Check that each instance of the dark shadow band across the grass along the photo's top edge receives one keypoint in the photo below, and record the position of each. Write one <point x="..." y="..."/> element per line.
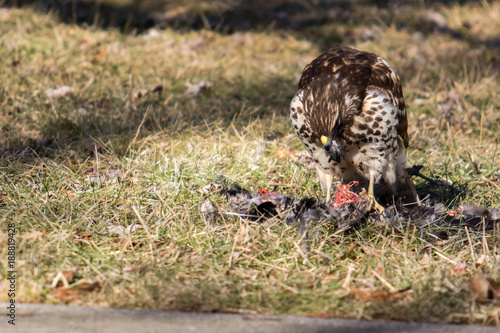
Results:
<point x="304" y="19"/>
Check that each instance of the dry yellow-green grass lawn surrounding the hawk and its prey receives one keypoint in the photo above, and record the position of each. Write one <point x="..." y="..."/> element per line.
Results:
<point x="169" y="145"/>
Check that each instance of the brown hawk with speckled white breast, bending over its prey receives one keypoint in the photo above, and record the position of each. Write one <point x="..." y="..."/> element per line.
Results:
<point x="349" y="112"/>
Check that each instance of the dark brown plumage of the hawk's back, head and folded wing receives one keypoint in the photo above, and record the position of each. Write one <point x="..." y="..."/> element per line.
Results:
<point x="344" y="76"/>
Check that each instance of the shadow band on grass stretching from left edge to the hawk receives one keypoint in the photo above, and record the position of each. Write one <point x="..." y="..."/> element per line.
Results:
<point x="82" y="125"/>
